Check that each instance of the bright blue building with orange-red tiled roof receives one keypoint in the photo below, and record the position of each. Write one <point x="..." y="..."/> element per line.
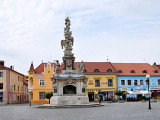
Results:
<point x="132" y="79"/>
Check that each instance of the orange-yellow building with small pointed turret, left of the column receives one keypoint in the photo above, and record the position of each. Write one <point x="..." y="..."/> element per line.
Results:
<point x="39" y="82"/>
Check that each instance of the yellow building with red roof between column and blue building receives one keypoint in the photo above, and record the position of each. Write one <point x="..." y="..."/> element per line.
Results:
<point x="102" y="80"/>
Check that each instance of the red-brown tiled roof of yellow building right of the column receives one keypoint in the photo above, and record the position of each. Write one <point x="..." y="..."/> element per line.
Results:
<point x="91" y="66"/>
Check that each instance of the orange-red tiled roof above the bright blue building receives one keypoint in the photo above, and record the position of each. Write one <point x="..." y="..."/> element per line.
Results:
<point x="137" y="67"/>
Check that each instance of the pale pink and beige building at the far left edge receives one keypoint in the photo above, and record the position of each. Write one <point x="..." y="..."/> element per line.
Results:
<point x="11" y="85"/>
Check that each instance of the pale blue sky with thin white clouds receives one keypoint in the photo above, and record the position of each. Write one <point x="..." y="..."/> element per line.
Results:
<point x="127" y="31"/>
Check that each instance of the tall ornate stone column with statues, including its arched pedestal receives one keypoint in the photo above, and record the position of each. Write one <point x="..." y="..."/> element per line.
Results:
<point x="69" y="87"/>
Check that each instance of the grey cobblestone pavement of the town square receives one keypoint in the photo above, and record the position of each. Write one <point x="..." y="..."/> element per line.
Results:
<point x="110" y="111"/>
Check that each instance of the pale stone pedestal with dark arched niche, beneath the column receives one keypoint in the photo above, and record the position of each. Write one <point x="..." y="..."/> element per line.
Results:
<point x="70" y="90"/>
